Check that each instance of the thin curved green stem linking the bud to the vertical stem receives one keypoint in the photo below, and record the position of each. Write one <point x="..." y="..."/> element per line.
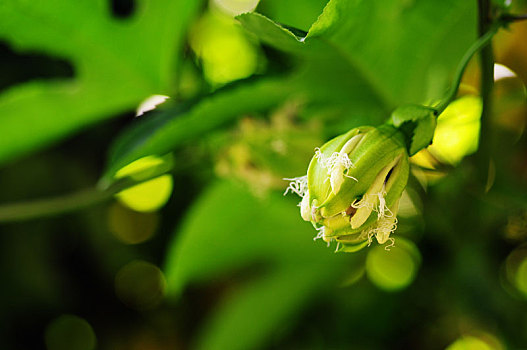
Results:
<point x="481" y="43"/>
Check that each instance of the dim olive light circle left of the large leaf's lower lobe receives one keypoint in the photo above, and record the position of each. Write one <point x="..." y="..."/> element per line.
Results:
<point x="140" y="285"/>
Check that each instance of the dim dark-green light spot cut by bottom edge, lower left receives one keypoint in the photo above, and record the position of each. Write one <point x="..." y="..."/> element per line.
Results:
<point x="69" y="332"/>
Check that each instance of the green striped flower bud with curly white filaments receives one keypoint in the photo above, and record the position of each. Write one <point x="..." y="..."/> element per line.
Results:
<point x="353" y="185"/>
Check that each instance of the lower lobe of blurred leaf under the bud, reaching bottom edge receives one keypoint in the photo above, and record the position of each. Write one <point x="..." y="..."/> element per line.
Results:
<point x="269" y="302"/>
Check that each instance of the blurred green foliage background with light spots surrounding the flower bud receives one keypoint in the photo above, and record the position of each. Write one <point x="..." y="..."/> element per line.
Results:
<point x="211" y="255"/>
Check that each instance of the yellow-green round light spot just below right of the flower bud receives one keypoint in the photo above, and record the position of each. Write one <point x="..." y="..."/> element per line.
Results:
<point x="394" y="269"/>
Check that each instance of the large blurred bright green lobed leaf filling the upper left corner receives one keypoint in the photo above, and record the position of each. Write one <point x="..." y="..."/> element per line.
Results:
<point x="118" y="63"/>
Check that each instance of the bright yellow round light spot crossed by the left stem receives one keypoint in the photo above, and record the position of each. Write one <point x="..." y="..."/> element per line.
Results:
<point x="150" y="195"/>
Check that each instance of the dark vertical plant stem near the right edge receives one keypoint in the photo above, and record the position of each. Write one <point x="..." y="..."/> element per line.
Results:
<point x="487" y="83"/>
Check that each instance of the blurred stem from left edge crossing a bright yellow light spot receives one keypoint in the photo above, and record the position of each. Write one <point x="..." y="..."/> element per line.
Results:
<point x="74" y="201"/>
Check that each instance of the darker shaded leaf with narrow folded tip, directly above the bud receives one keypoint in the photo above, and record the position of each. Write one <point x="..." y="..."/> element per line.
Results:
<point x="328" y="82"/>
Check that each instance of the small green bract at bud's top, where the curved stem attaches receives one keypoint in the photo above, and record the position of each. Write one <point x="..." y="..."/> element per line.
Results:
<point x="417" y="123"/>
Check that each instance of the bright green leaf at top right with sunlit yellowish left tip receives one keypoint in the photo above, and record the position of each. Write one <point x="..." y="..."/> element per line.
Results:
<point x="421" y="41"/>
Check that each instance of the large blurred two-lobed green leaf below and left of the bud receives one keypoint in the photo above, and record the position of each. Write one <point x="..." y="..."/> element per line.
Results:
<point x="229" y="229"/>
